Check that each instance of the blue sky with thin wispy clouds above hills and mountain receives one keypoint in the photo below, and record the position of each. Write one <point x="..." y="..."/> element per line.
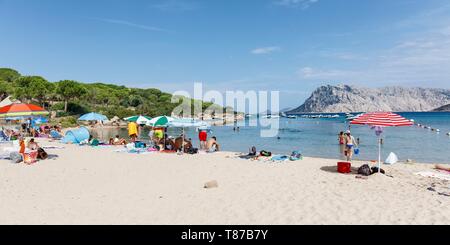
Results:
<point x="288" y="45"/>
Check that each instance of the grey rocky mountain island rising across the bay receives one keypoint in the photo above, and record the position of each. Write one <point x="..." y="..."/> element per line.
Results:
<point x="345" y="98"/>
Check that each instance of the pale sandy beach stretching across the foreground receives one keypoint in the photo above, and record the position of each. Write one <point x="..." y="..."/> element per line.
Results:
<point x="85" y="185"/>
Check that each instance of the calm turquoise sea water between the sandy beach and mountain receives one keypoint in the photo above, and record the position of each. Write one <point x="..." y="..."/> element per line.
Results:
<point x="318" y="138"/>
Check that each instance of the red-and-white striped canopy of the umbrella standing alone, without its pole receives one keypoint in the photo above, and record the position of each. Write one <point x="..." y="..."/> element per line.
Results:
<point x="383" y="119"/>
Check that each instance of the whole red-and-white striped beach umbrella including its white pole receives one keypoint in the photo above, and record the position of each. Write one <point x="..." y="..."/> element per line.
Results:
<point x="378" y="120"/>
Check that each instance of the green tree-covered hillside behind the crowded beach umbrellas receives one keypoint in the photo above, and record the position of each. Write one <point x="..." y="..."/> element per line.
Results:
<point x="70" y="97"/>
